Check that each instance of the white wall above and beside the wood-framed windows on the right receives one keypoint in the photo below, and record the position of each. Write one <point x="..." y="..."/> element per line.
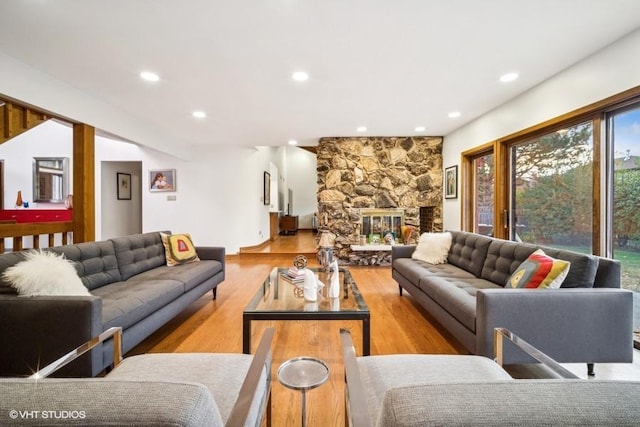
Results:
<point x="606" y="73"/>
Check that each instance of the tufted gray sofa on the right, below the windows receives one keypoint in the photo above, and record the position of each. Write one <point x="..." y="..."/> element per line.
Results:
<point x="588" y="319"/>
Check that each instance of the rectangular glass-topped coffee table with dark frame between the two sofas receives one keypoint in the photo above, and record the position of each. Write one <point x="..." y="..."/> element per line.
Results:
<point x="273" y="284"/>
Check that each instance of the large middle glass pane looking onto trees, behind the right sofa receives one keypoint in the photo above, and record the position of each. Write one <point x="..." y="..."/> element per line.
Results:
<point x="551" y="189"/>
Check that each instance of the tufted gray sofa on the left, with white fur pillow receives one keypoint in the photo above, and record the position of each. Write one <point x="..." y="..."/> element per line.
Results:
<point x="131" y="287"/>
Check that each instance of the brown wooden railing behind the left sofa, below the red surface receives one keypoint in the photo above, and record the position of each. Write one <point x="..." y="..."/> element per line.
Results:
<point x="18" y="231"/>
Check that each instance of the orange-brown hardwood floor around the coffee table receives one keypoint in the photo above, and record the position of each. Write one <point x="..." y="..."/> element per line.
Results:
<point x="398" y="325"/>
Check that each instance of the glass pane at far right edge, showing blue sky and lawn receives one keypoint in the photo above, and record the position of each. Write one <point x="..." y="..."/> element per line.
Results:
<point x="624" y="143"/>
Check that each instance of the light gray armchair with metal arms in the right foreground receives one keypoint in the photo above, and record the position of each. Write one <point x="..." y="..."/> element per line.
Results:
<point x="451" y="390"/>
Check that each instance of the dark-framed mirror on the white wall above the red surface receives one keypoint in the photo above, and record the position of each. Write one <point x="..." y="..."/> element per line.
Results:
<point x="50" y="179"/>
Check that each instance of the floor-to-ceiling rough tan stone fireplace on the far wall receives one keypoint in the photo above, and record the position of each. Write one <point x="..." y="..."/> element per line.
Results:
<point x="389" y="180"/>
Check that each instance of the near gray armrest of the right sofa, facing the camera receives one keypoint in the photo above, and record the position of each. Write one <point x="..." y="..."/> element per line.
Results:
<point x="578" y="325"/>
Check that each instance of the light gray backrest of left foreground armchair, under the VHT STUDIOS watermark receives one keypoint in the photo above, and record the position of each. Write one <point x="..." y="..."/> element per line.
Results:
<point x="100" y="402"/>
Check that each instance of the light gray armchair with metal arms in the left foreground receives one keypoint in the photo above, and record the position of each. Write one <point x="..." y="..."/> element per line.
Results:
<point x="173" y="389"/>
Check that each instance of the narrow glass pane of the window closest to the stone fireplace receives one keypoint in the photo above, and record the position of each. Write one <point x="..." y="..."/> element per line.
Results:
<point x="483" y="194"/>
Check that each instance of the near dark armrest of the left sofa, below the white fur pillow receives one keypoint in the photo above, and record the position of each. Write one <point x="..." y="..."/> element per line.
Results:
<point x="35" y="331"/>
